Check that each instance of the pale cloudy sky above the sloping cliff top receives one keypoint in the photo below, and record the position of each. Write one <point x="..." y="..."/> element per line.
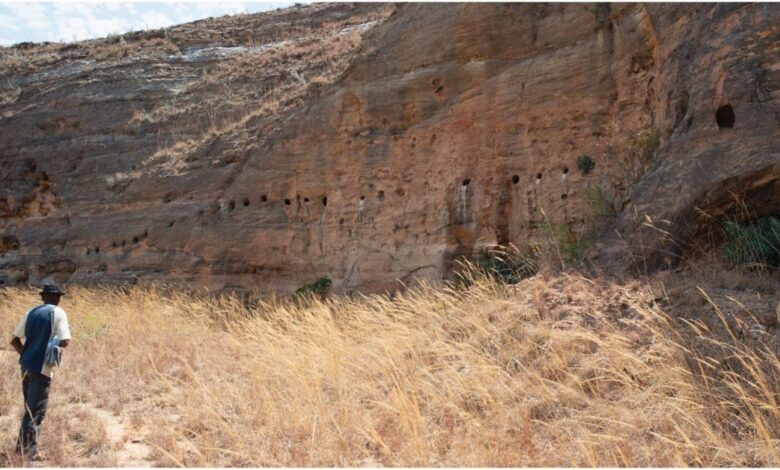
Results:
<point x="74" y="21"/>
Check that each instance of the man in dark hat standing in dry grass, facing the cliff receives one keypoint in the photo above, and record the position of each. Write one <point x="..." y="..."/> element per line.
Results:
<point x="37" y="327"/>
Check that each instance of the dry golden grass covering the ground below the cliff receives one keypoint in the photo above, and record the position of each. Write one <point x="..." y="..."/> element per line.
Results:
<point x="555" y="371"/>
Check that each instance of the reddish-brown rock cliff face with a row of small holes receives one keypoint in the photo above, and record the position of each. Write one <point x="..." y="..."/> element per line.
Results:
<point x="370" y="143"/>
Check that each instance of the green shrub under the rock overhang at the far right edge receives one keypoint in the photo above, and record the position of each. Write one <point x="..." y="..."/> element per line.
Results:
<point x="752" y="245"/>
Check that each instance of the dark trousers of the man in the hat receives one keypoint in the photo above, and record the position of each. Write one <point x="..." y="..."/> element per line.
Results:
<point x="35" y="388"/>
